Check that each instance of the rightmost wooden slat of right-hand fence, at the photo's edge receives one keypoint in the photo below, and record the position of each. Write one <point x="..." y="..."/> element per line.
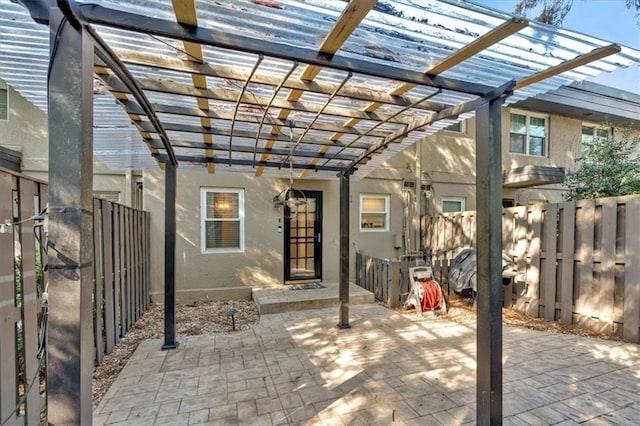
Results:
<point x="631" y="315"/>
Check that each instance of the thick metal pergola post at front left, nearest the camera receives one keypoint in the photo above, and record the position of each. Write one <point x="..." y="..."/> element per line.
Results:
<point x="70" y="253"/>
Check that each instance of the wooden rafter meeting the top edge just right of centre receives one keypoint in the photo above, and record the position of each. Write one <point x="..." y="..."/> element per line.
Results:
<point x="351" y="16"/>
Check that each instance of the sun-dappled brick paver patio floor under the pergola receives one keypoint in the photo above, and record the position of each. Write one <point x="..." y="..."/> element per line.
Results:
<point x="298" y="368"/>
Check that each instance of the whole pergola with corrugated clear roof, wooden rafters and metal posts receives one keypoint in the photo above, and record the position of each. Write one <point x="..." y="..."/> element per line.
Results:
<point x="327" y="89"/>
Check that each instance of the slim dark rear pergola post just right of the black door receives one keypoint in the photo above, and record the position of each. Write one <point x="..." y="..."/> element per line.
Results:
<point x="343" y="321"/>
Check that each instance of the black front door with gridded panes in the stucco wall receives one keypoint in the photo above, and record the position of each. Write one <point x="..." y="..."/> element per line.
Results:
<point x="303" y="238"/>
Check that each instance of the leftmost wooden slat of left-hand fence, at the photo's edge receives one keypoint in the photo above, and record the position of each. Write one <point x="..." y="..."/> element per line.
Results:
<point x="8" y="312"/>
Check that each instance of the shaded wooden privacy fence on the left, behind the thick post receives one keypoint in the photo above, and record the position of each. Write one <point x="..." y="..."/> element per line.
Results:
<point x="121" y="271"/>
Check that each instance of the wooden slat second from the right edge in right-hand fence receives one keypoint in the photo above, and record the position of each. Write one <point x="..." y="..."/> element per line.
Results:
<point x="608" y="262"/>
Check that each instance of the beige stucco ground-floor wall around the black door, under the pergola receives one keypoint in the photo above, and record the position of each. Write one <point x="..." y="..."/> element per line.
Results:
<point x="201" y="275"/>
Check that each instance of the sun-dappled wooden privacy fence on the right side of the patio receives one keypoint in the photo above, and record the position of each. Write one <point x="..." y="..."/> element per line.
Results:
<point x="581" y="260"/>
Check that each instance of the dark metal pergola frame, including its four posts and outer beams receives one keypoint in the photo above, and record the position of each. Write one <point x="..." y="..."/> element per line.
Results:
<point x="73" y="51"/>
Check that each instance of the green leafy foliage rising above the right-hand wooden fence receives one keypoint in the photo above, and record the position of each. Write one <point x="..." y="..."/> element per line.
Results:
<point x="609" y="167"/>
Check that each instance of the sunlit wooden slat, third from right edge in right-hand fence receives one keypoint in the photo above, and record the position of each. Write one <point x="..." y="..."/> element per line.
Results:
<point x="585" y="231"/>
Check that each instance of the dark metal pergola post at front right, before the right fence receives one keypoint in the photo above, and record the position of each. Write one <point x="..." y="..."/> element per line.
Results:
<point x="489" y="272"/>
